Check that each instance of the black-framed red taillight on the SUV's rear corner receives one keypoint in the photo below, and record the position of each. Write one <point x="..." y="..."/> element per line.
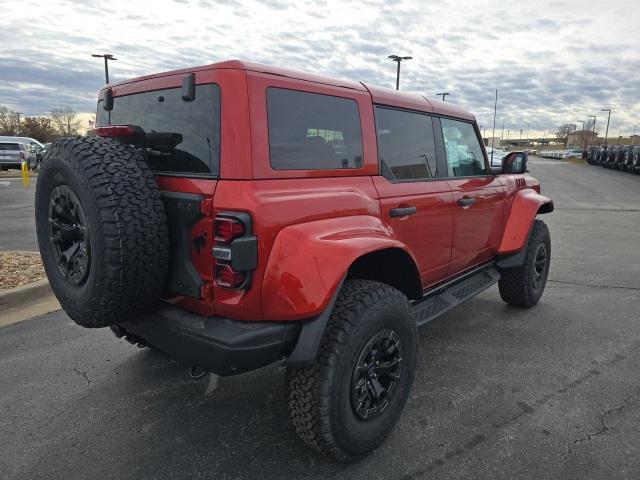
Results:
<point x="235" y="250"/>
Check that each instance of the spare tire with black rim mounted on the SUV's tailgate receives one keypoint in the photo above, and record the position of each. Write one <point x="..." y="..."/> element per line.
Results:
<point x="102" y="230"/>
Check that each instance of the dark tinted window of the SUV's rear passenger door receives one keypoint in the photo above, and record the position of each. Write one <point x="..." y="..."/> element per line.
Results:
<point x="405" y="144"/>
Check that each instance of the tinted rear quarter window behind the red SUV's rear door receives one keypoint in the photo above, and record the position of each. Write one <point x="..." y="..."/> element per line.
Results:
<point x="310" y="131"/>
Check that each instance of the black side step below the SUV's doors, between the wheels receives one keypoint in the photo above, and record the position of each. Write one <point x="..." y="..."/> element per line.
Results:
<point x="451" y="294"/>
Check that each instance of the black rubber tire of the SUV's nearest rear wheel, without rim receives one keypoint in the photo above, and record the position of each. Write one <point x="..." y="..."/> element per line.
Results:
<point x="319" y="396"/>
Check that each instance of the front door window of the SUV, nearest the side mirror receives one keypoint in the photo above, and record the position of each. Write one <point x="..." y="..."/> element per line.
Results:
<point x="464" y="154"/>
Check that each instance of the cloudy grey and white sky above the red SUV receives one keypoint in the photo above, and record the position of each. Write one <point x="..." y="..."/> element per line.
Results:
<point x="553" y="62"/>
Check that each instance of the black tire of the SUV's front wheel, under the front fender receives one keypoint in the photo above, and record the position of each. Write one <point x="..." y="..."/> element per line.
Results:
<point x="517" y="285"/>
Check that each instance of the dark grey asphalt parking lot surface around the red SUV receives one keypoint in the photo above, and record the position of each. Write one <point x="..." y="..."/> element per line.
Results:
<point x="551" y="392"/>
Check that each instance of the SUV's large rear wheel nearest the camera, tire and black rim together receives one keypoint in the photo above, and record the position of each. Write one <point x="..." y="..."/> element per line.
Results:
<point x="348" y="401"/>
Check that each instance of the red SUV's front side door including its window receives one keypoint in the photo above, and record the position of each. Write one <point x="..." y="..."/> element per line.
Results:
<point x="478" y="196"/>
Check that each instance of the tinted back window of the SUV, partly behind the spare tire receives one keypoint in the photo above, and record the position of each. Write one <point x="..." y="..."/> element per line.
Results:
<point x="182" y="137"/>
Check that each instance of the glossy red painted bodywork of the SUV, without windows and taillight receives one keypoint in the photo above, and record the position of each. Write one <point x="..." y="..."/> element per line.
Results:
<point x="311" y="225"/>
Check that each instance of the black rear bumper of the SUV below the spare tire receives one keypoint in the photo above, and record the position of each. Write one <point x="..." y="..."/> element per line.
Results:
<point x="219" y="345"/>
